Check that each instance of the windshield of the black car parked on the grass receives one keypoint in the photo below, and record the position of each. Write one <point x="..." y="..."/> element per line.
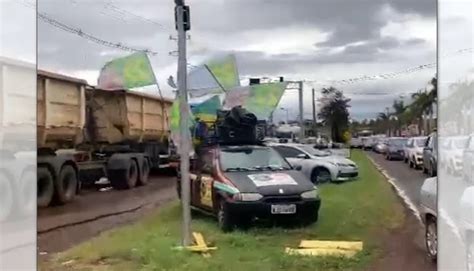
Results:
<point x="250" y="158"/>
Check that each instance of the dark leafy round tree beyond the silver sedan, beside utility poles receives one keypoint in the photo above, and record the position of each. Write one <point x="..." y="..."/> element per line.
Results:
<point x="334" y="112"/>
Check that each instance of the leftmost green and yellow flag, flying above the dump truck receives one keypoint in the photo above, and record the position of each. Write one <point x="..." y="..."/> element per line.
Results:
<point x="127" y="72"/>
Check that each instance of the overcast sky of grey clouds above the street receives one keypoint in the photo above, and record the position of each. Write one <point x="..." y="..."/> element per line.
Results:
<point x="230" y="22"/>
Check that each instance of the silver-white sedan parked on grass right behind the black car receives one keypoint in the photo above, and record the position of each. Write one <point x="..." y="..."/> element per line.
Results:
<point x="319" y="166"/>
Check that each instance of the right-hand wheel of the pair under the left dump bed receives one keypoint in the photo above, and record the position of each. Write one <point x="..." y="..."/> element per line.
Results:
<point x="66" y="185"/>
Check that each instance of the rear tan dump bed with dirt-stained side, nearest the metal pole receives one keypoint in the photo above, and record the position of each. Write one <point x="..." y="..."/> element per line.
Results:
<point x="127" y="116"/>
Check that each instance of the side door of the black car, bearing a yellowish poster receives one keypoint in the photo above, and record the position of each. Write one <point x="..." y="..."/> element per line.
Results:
<point x="202" y="181"/>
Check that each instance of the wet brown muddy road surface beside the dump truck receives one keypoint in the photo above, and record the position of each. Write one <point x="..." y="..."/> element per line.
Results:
<point x="93" y="211"/>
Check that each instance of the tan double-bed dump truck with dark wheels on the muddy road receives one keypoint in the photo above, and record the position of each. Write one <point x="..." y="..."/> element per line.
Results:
<point x="85" y="134"/>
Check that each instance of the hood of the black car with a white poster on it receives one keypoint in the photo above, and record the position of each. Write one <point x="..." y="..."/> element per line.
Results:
<point x="270" y="183"/>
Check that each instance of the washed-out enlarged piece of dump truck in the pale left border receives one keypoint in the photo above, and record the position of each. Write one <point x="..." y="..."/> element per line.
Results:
<point x="17" y="140"/>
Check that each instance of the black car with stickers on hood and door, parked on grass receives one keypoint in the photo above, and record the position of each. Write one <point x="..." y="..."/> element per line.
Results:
<point x="241" y="183"/>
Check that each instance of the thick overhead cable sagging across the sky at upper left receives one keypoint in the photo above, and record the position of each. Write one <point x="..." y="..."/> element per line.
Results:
<point x="80" y="33"/>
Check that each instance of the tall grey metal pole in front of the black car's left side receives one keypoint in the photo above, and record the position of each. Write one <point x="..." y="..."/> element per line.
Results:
<point x="183" y="125"/>
